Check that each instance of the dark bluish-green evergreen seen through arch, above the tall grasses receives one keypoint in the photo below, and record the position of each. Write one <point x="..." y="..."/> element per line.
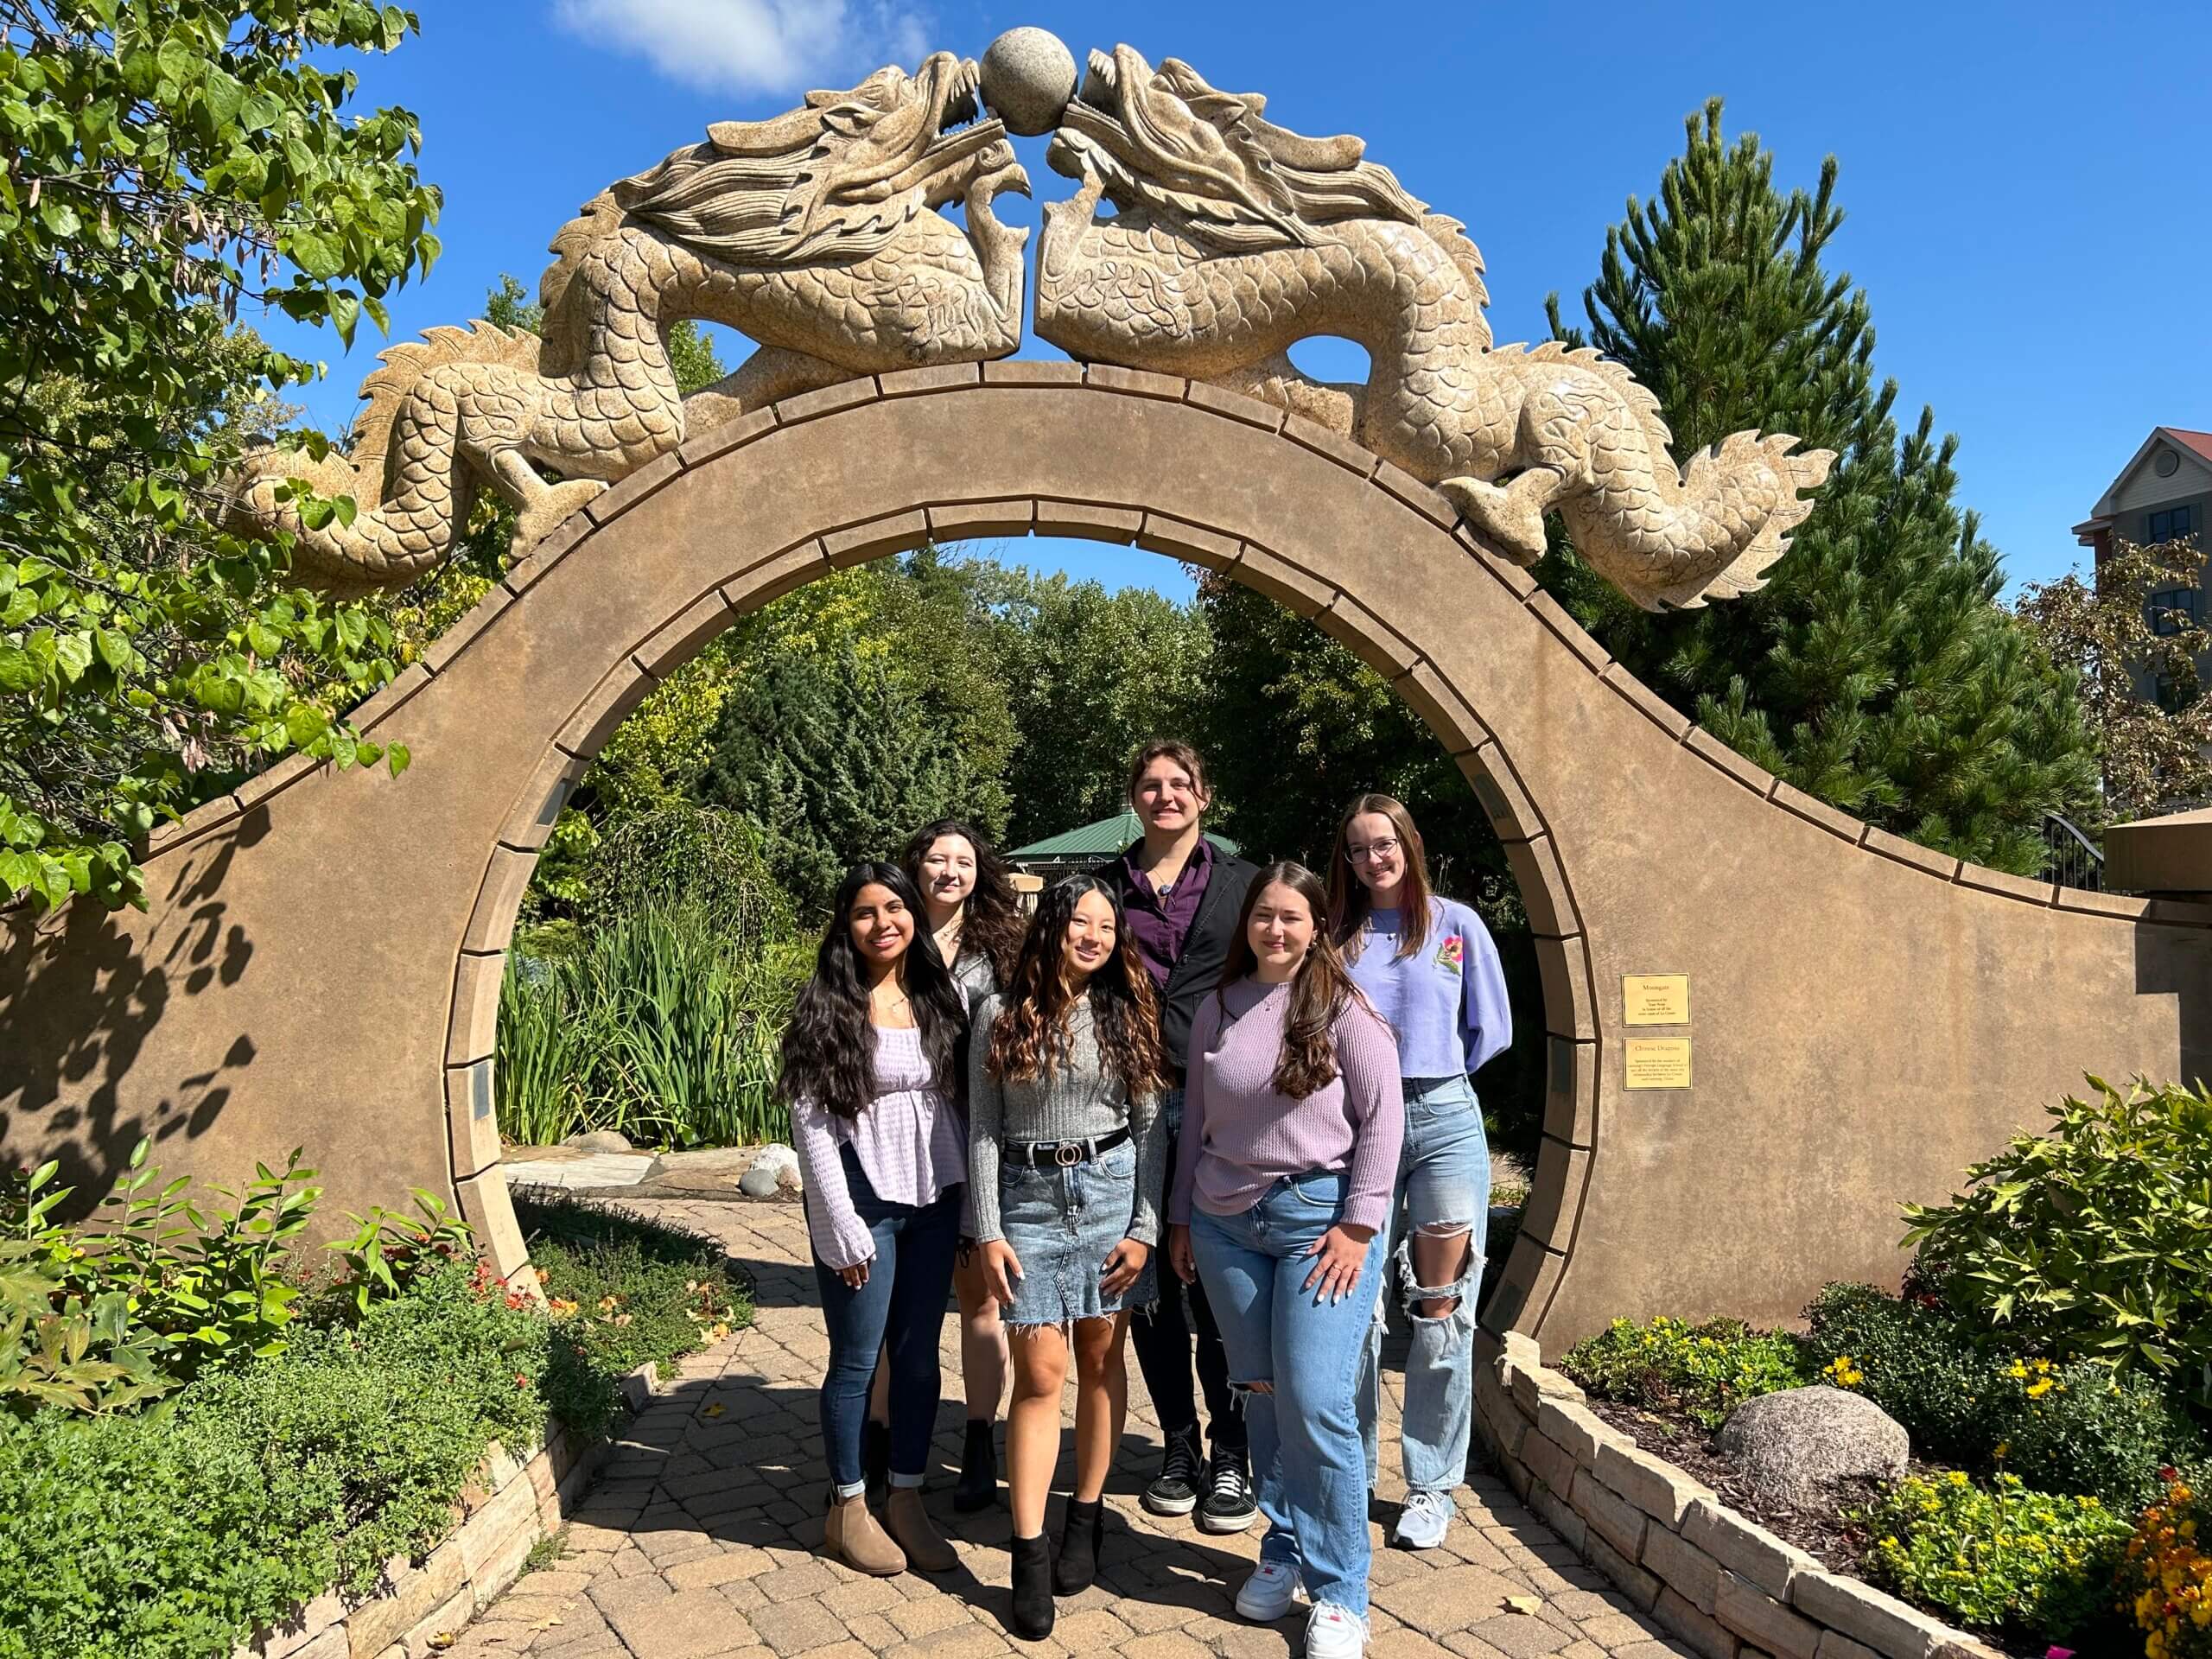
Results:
<point x="835" y="762"/>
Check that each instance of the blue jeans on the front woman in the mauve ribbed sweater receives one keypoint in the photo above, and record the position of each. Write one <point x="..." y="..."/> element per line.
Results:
<point x="1306" y="1432"/>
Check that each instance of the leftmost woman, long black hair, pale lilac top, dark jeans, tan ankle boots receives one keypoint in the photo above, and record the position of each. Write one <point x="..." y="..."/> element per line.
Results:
<point x="873" y="1074"/>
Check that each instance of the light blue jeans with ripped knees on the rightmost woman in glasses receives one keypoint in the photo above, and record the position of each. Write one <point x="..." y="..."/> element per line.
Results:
<point x="1443" y="1187"/>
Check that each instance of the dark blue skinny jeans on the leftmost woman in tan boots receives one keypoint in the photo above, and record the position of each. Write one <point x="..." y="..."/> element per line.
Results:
<point x="901" y="1308"/>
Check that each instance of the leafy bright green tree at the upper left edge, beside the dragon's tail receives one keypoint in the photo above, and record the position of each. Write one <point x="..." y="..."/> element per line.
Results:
<point x="169" y="163"/>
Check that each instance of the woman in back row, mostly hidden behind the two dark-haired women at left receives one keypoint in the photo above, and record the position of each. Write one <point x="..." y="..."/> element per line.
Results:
<point x="977" y="924"/>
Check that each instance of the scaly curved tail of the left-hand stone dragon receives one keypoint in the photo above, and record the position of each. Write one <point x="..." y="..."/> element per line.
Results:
<point x="401" y="468"/>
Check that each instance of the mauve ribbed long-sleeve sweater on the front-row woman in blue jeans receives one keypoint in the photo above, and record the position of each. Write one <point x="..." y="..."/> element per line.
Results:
<point x="1240" y="1136"/>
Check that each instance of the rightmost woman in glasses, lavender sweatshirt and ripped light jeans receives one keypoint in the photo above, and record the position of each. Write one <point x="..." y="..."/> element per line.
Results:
<point x="1430" y="970"/>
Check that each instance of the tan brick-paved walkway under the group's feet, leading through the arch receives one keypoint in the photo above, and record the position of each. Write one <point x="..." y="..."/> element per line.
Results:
<point x="700" y="1541"/>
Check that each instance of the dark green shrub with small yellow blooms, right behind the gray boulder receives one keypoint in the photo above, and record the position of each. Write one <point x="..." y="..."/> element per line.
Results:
<point x="2060" y="1428"/>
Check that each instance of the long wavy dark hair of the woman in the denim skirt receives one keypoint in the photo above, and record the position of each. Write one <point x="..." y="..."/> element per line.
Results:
<point x="1032" y="1032"/>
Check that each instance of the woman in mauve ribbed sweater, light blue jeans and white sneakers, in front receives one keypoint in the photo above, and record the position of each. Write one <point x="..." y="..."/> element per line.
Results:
<point x="1291" y="1149"/>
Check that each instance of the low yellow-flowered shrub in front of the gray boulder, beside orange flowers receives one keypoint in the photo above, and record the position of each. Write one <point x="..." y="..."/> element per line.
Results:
<point x="2001" y="1556"/>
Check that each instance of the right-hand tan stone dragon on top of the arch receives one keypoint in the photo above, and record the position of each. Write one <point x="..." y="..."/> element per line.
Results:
<point x="1233" y="238"/>
